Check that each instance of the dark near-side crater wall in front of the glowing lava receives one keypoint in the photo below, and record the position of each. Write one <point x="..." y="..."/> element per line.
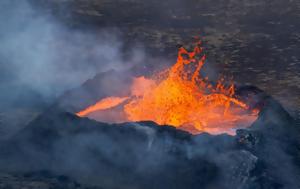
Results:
<point x="145" y="155"/>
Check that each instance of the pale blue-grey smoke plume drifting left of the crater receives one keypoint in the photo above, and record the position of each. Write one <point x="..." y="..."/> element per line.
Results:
<point x="40" y="58"/>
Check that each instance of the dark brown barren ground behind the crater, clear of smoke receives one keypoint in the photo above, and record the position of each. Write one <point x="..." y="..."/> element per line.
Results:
<point x="257" y="42"/>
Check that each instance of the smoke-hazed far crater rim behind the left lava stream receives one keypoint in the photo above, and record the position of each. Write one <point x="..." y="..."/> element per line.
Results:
<point x="104" y="84"/>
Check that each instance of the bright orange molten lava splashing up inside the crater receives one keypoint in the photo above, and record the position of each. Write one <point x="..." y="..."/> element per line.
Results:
<point x="181" y="97"/>
